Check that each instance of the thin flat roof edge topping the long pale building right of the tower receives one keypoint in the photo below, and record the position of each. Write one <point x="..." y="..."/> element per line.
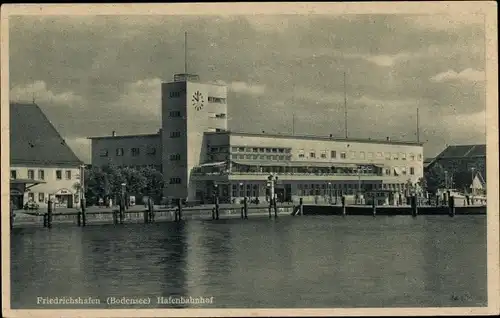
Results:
<point x="408" y="143"/>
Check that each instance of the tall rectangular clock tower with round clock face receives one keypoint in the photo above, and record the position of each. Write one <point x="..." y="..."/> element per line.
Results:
<point x="189" y="109"/>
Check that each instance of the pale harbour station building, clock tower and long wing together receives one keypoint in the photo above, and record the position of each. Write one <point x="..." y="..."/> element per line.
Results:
<point x="197" y="152"/>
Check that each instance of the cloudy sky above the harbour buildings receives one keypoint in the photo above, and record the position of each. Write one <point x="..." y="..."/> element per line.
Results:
<point x="95" y="74"/>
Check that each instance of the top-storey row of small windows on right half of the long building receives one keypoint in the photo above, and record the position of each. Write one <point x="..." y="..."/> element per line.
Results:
<point x="362" y="155"/>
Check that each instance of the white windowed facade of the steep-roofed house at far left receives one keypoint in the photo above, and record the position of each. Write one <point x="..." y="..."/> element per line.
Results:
<point x="52" y="186"/>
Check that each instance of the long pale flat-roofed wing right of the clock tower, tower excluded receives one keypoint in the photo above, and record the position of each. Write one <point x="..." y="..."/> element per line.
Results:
<point x="306" y="166"/>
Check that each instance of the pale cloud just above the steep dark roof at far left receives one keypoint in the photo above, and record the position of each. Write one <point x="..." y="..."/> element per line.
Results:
<point x="38" y="91"/>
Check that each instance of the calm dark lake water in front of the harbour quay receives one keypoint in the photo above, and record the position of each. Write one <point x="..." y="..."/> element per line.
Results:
<point x="312" y="262"/>
